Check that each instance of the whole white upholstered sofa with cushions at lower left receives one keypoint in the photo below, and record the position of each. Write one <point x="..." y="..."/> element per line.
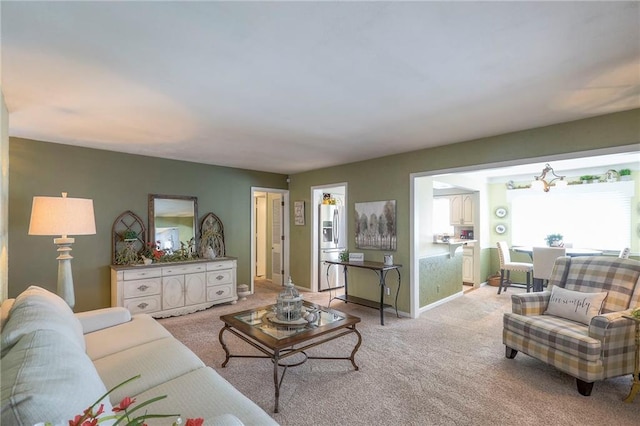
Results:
<point x="55" y="364"/>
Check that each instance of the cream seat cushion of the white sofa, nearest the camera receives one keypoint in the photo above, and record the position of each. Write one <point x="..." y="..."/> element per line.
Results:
<point x="204" y="393"/>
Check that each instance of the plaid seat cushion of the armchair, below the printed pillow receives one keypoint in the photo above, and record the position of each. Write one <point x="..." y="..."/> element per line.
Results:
<point x="556" y="334"/>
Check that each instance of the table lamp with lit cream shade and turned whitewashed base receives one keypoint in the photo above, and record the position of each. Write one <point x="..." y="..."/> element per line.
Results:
<point x="63" y="216"/>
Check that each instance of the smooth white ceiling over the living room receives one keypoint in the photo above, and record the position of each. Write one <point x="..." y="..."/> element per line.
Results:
<point x="293" y="86"/>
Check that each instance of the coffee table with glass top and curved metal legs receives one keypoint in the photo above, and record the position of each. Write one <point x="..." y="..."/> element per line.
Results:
<point x="279" y="341"/>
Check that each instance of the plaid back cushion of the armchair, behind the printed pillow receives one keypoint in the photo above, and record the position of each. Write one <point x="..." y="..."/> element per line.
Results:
<point x="618" y="277"/>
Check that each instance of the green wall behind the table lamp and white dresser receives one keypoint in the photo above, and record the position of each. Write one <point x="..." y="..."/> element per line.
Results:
<point x="116" y="182"/>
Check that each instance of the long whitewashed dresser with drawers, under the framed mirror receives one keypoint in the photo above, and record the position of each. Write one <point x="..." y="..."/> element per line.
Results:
<point x="169" y="289"/>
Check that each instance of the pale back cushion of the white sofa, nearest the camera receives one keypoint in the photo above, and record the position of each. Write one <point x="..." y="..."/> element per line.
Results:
<point x="46" y="377"/>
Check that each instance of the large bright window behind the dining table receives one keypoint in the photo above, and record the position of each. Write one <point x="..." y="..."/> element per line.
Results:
<point x="588" y="216"/>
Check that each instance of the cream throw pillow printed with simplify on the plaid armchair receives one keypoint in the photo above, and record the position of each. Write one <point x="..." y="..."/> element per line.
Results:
<point x="575" y="305"/>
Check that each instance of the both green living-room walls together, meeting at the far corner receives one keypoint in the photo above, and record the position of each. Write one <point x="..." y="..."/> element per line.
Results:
<point x="118" y="182"/>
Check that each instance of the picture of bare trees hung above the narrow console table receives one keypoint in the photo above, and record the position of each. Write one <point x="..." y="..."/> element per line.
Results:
<point x="375" y="225"/>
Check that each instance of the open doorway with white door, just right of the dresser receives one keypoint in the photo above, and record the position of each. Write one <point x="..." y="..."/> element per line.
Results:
<point x="270" y="235"/>
